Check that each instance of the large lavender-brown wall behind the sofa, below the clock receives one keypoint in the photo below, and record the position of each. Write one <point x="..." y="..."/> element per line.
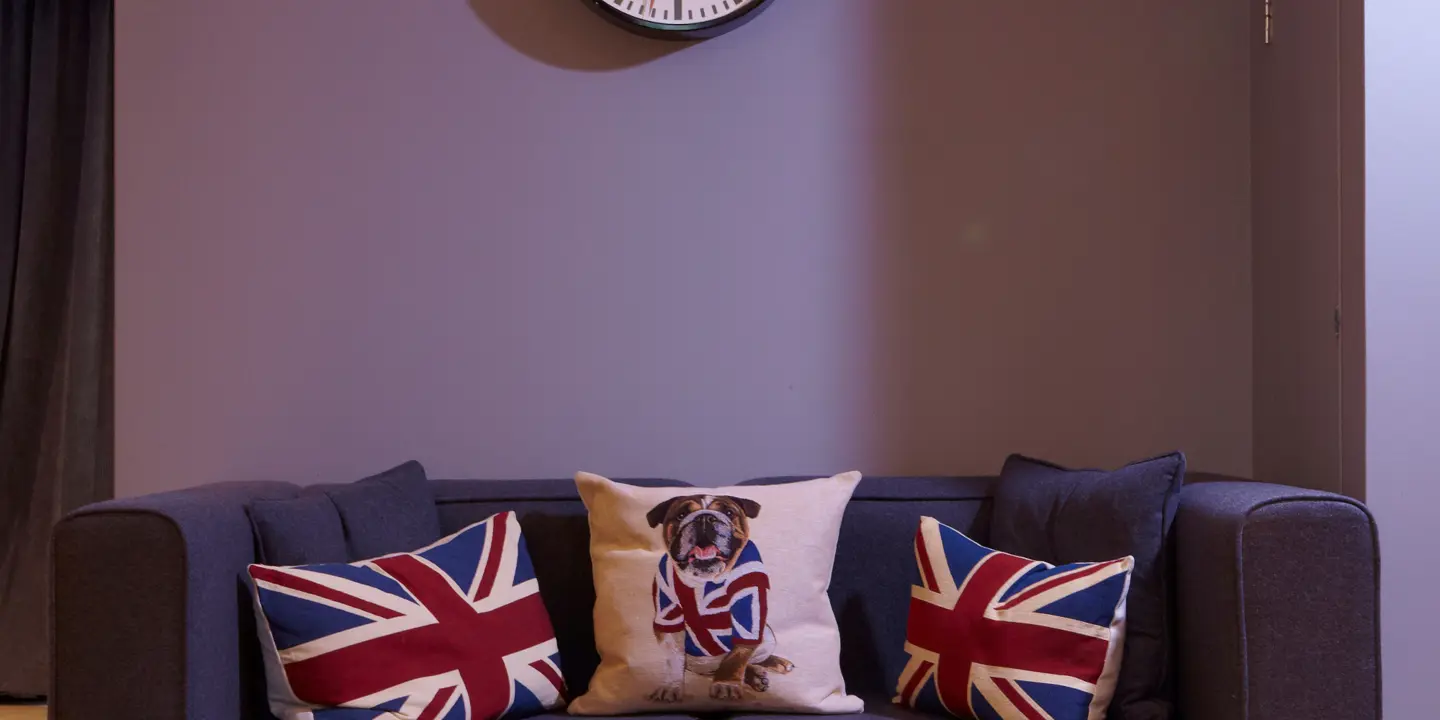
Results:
<point x="509" y="240"/>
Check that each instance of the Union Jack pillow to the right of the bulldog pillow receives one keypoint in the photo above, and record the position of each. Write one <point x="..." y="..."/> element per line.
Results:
<point x="993" y="636"/>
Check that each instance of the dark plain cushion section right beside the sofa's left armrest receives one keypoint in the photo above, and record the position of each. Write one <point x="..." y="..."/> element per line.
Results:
<point x="300" y="531"/>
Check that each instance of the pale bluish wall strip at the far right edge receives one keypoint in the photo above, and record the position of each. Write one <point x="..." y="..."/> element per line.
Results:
<point x="1403" y="296"/>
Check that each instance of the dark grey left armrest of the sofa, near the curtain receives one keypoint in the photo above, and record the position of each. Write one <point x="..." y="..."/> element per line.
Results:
<point x="150" y="620"/>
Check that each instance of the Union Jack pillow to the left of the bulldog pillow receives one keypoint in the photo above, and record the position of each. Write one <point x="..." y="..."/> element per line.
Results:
<point x="454" y="631"/>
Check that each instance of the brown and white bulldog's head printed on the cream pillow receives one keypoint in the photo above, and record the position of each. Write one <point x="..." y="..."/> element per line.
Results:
<point x="705" y="534"/>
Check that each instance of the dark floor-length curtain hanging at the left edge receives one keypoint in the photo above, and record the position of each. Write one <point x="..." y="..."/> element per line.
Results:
<point x="57" y="238"/>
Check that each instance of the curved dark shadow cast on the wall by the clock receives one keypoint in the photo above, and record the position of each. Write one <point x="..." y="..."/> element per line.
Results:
<point x="568" y="35"/>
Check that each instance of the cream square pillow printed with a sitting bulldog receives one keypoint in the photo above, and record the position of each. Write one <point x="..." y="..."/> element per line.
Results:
<point x="715" y="600"/>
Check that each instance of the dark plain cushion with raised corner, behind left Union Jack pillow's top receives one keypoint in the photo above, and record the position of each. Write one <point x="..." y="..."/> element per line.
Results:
<point x="388" y="513"/>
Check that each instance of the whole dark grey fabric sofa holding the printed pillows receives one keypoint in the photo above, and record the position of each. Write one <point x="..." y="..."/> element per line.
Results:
<point x="1275" y="595"/>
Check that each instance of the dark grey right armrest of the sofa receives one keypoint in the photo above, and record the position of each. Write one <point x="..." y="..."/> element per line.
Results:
<point x="1278" y="603"/>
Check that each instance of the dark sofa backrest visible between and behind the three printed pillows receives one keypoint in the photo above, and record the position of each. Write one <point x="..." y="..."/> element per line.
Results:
<point x="870" y="591"/>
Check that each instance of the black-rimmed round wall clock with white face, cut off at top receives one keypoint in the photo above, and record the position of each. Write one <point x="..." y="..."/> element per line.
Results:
<point x="680" y="19"/>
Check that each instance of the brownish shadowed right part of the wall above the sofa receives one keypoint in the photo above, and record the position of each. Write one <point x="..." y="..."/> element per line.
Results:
<point x="1061" y="235"/>
